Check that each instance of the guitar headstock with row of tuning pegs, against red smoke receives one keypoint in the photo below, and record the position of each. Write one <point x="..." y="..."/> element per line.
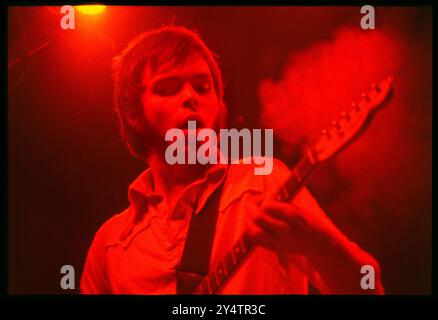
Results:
<point x="352" y="122"/>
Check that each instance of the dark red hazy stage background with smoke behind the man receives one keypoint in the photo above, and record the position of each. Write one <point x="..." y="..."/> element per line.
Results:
<point x="68" y="170"/>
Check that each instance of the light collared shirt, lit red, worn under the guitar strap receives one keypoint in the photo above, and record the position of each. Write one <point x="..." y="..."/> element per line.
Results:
<point x="138" y="250"/>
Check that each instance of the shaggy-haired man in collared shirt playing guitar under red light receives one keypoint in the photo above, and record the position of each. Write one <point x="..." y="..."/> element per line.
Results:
<point x="163" y="79"/>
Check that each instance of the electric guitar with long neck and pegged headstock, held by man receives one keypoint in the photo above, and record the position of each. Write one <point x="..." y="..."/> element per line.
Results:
<point x="351" y="125"/>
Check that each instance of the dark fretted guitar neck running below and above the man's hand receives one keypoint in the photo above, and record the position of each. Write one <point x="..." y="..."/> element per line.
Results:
<point x="241" y="249"/>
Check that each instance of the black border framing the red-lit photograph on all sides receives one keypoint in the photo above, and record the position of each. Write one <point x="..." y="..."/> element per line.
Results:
<point x="163" y="304"/>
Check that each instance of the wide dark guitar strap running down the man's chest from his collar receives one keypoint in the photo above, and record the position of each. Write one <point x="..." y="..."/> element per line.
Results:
<point x="196" y="256"/>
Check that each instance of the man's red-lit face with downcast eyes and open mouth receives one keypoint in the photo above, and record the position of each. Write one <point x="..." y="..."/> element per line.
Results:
<point x="174" y="97"/>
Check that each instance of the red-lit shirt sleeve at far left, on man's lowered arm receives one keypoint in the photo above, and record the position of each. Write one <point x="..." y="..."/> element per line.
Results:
<point x="94" y="279"/>
